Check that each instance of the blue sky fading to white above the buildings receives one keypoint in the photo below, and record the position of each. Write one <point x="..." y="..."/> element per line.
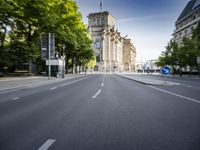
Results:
<point x="149" y="23"/>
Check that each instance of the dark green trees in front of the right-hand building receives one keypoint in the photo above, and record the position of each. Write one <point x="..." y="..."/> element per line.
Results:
<point x="183" y="55"/>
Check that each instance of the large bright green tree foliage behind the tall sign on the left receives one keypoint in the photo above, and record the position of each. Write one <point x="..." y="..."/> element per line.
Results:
<point x="23" y="22"/>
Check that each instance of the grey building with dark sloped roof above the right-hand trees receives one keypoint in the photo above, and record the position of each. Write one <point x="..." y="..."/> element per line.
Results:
<point x="187" y="21"/>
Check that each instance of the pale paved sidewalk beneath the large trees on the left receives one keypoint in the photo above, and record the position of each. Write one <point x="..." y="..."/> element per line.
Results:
<point x="21" y="82"/>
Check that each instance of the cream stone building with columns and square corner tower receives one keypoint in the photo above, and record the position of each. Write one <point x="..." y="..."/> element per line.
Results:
<point x="108" y="44"/>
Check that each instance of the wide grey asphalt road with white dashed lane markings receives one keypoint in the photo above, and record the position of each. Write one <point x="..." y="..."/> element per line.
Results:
<point x="99" y="112"/>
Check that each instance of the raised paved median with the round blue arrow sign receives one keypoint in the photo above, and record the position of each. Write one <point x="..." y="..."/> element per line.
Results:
<point x="147" y="81"/>
